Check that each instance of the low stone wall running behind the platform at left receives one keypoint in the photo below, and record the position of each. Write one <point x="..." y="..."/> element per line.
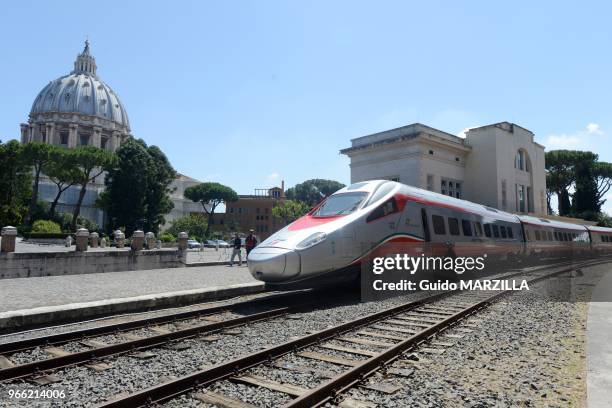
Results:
<point x="25" y="265"/>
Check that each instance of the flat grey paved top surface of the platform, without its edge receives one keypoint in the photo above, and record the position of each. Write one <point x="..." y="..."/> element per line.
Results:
<point x="27" y="293"/>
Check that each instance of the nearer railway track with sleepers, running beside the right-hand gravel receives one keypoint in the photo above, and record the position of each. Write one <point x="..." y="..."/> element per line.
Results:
<point x="356" y="349"/>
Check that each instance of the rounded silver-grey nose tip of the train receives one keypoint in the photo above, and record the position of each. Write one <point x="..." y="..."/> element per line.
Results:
<point x="271" y="264"/>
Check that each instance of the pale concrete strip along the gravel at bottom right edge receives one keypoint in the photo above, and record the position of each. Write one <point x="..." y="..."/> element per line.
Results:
<point x="599" y="346"/>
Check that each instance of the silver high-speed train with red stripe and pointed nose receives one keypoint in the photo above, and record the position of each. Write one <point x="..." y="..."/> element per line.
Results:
<point x="383" y="217"/>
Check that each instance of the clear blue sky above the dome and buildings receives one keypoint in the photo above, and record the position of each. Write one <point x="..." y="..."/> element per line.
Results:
<point x="248" y="93"/>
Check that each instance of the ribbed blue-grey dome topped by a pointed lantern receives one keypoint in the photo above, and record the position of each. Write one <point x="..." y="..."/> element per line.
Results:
<point x="83" y="92"/>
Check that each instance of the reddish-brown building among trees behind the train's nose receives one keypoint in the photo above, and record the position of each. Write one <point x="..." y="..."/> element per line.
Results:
<point x="252" y="212"/>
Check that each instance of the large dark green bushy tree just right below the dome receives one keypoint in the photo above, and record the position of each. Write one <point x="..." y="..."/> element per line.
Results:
<point x="137" y="188"/>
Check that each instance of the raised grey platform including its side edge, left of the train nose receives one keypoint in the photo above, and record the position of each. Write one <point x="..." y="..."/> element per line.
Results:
<point x="43" y="301"/>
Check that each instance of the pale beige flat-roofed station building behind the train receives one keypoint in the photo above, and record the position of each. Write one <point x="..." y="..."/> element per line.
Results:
<point x="499" y="165"/>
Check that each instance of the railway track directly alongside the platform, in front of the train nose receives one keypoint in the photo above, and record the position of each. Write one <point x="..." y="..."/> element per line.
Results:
<point x="141" y="335"/>
